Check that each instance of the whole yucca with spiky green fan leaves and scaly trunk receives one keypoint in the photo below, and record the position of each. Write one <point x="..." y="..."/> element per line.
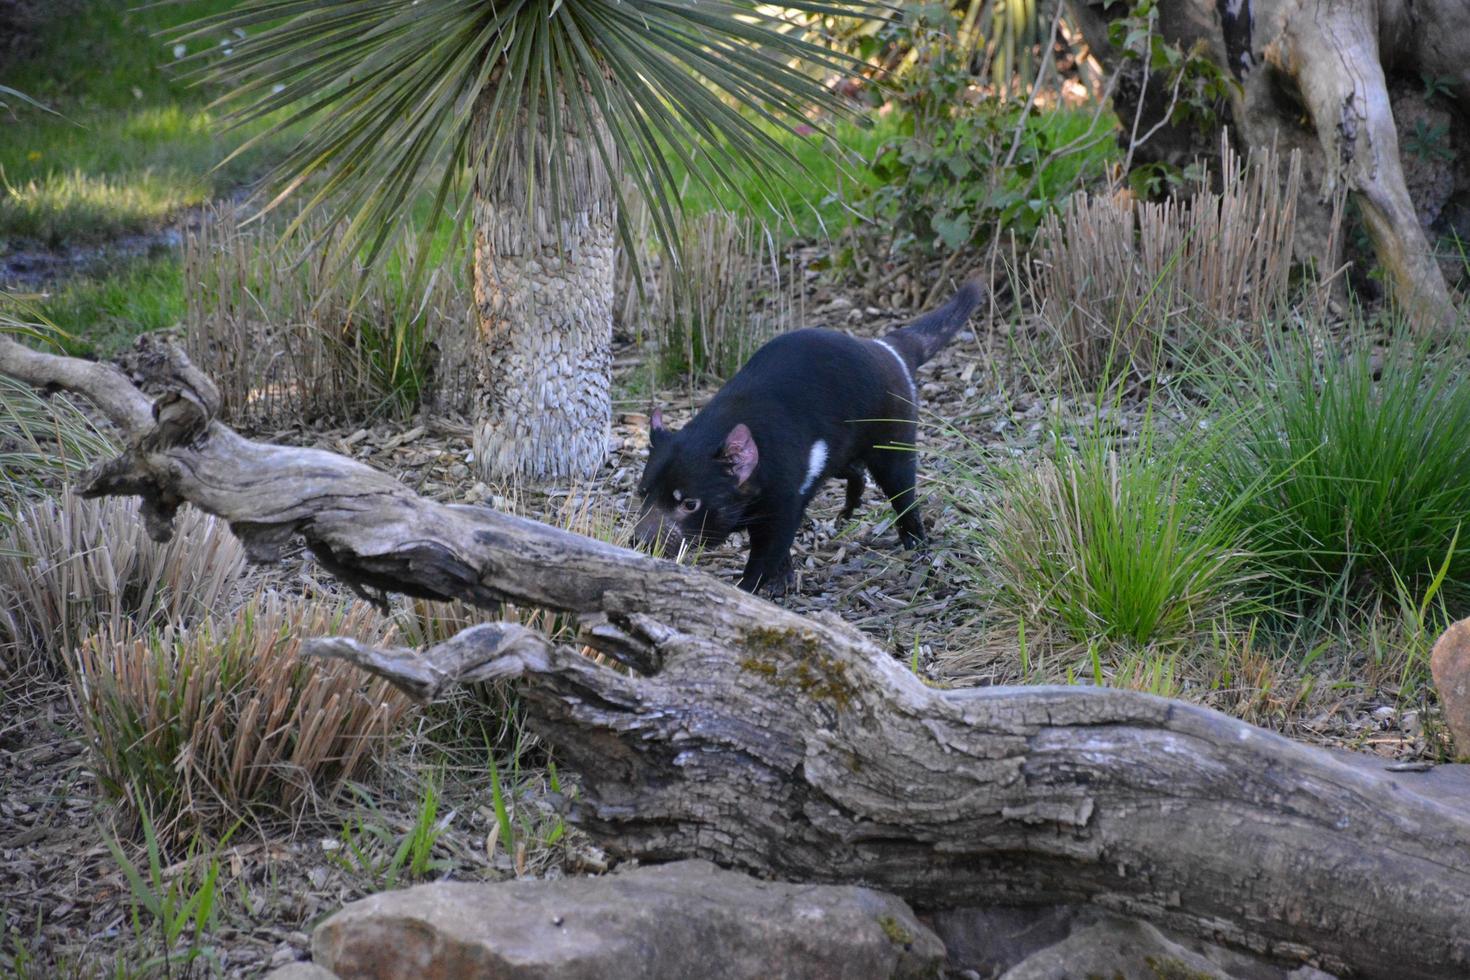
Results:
<point x="521" y="115"/>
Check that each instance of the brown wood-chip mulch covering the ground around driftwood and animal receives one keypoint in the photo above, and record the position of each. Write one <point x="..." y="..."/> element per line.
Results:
<point x="68" y="907"/>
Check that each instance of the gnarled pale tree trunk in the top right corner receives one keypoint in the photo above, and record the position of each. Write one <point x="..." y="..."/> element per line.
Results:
<point x="1343" y="83"/>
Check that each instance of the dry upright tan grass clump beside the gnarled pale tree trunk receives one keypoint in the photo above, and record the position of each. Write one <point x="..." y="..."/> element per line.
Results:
<point x="1128" y="286"/>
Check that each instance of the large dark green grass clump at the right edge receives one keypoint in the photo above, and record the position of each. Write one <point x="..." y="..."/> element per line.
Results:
<point x="1355" y="471"/>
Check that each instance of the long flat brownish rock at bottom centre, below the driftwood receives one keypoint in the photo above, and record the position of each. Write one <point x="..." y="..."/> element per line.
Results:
<point x="675" y="920"/>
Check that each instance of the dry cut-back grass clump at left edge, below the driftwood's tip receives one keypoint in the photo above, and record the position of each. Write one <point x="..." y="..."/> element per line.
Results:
<point x="73" y="566"/>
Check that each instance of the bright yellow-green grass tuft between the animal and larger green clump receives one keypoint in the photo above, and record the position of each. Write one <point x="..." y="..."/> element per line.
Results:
<point x="1116" y="546"/>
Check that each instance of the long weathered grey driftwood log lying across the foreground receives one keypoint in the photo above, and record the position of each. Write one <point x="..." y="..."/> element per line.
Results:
<point x="796" y="747"/>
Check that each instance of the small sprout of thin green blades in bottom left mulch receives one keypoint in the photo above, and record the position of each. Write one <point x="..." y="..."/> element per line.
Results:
<point x="170" y="910"/>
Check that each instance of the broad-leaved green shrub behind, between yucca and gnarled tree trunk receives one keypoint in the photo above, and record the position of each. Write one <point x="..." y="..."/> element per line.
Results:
<point x="959" y="168"/>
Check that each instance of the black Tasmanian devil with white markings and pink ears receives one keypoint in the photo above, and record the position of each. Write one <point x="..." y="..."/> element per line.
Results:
<point x="808" y="406"/>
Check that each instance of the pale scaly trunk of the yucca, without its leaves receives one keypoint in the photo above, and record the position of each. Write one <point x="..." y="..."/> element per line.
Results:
<point x="543" y="311"/>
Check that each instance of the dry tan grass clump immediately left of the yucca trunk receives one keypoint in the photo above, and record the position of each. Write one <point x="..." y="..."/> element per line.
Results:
<point x="287" y="343"/>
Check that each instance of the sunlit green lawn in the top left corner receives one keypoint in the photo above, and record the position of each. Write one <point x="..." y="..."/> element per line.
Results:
<point x="130" y="143"/>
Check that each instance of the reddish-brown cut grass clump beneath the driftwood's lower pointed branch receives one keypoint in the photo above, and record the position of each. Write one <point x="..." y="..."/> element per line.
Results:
<point x="204" y="727"/>
